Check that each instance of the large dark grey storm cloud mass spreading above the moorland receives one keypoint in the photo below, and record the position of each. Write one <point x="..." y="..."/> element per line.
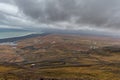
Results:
<point x="97" y="13"/>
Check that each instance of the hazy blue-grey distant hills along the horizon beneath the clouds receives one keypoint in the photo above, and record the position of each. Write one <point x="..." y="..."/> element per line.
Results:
<point x="81" y="32"/>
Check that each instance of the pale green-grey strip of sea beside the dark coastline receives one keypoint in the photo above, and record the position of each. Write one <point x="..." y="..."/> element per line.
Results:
<point x="14" y="34"/>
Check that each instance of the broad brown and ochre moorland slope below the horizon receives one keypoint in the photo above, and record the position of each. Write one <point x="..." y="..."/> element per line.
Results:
<point x="62" y="57"/>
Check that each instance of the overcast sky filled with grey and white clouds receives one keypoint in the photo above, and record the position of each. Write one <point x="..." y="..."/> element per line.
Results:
<point x="97" y="15"/>
